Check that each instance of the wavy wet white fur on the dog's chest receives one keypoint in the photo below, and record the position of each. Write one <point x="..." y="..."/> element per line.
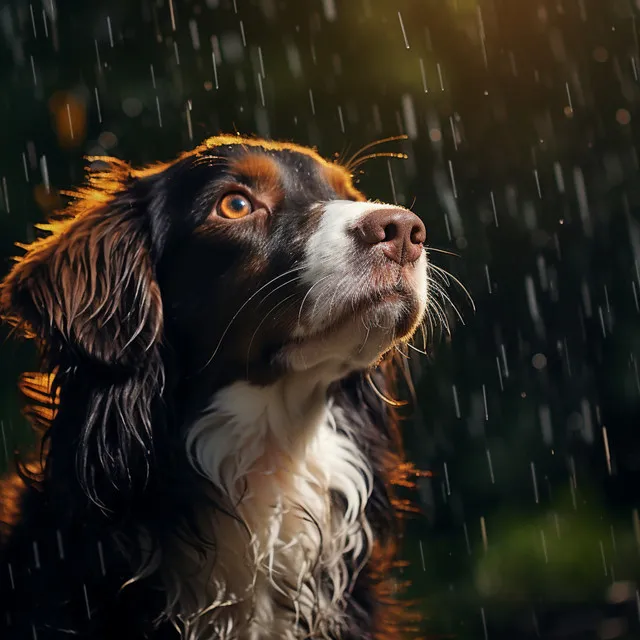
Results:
<point x="281" y="567"/>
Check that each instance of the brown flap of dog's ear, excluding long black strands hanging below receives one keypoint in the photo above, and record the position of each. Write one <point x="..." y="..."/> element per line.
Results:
<point x="88" y="289"/>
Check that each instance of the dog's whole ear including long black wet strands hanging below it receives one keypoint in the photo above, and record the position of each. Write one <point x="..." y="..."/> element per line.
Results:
<point x="88" y="293"/>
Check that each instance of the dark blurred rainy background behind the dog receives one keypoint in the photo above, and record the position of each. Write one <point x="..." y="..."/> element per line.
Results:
<point x="522" y="159"/>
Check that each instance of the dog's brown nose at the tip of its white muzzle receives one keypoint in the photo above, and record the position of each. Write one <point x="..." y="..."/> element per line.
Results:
<point x="399" y="233"/>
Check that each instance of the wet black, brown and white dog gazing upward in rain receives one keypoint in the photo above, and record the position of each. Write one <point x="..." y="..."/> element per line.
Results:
<point x="219" y="447"/>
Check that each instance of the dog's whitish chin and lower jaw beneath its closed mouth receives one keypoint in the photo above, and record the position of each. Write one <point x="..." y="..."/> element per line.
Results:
<point x="356" y="340"/>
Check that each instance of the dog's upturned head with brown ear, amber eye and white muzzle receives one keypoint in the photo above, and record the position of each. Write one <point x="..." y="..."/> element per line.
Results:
<point x="249" y="259"/>
